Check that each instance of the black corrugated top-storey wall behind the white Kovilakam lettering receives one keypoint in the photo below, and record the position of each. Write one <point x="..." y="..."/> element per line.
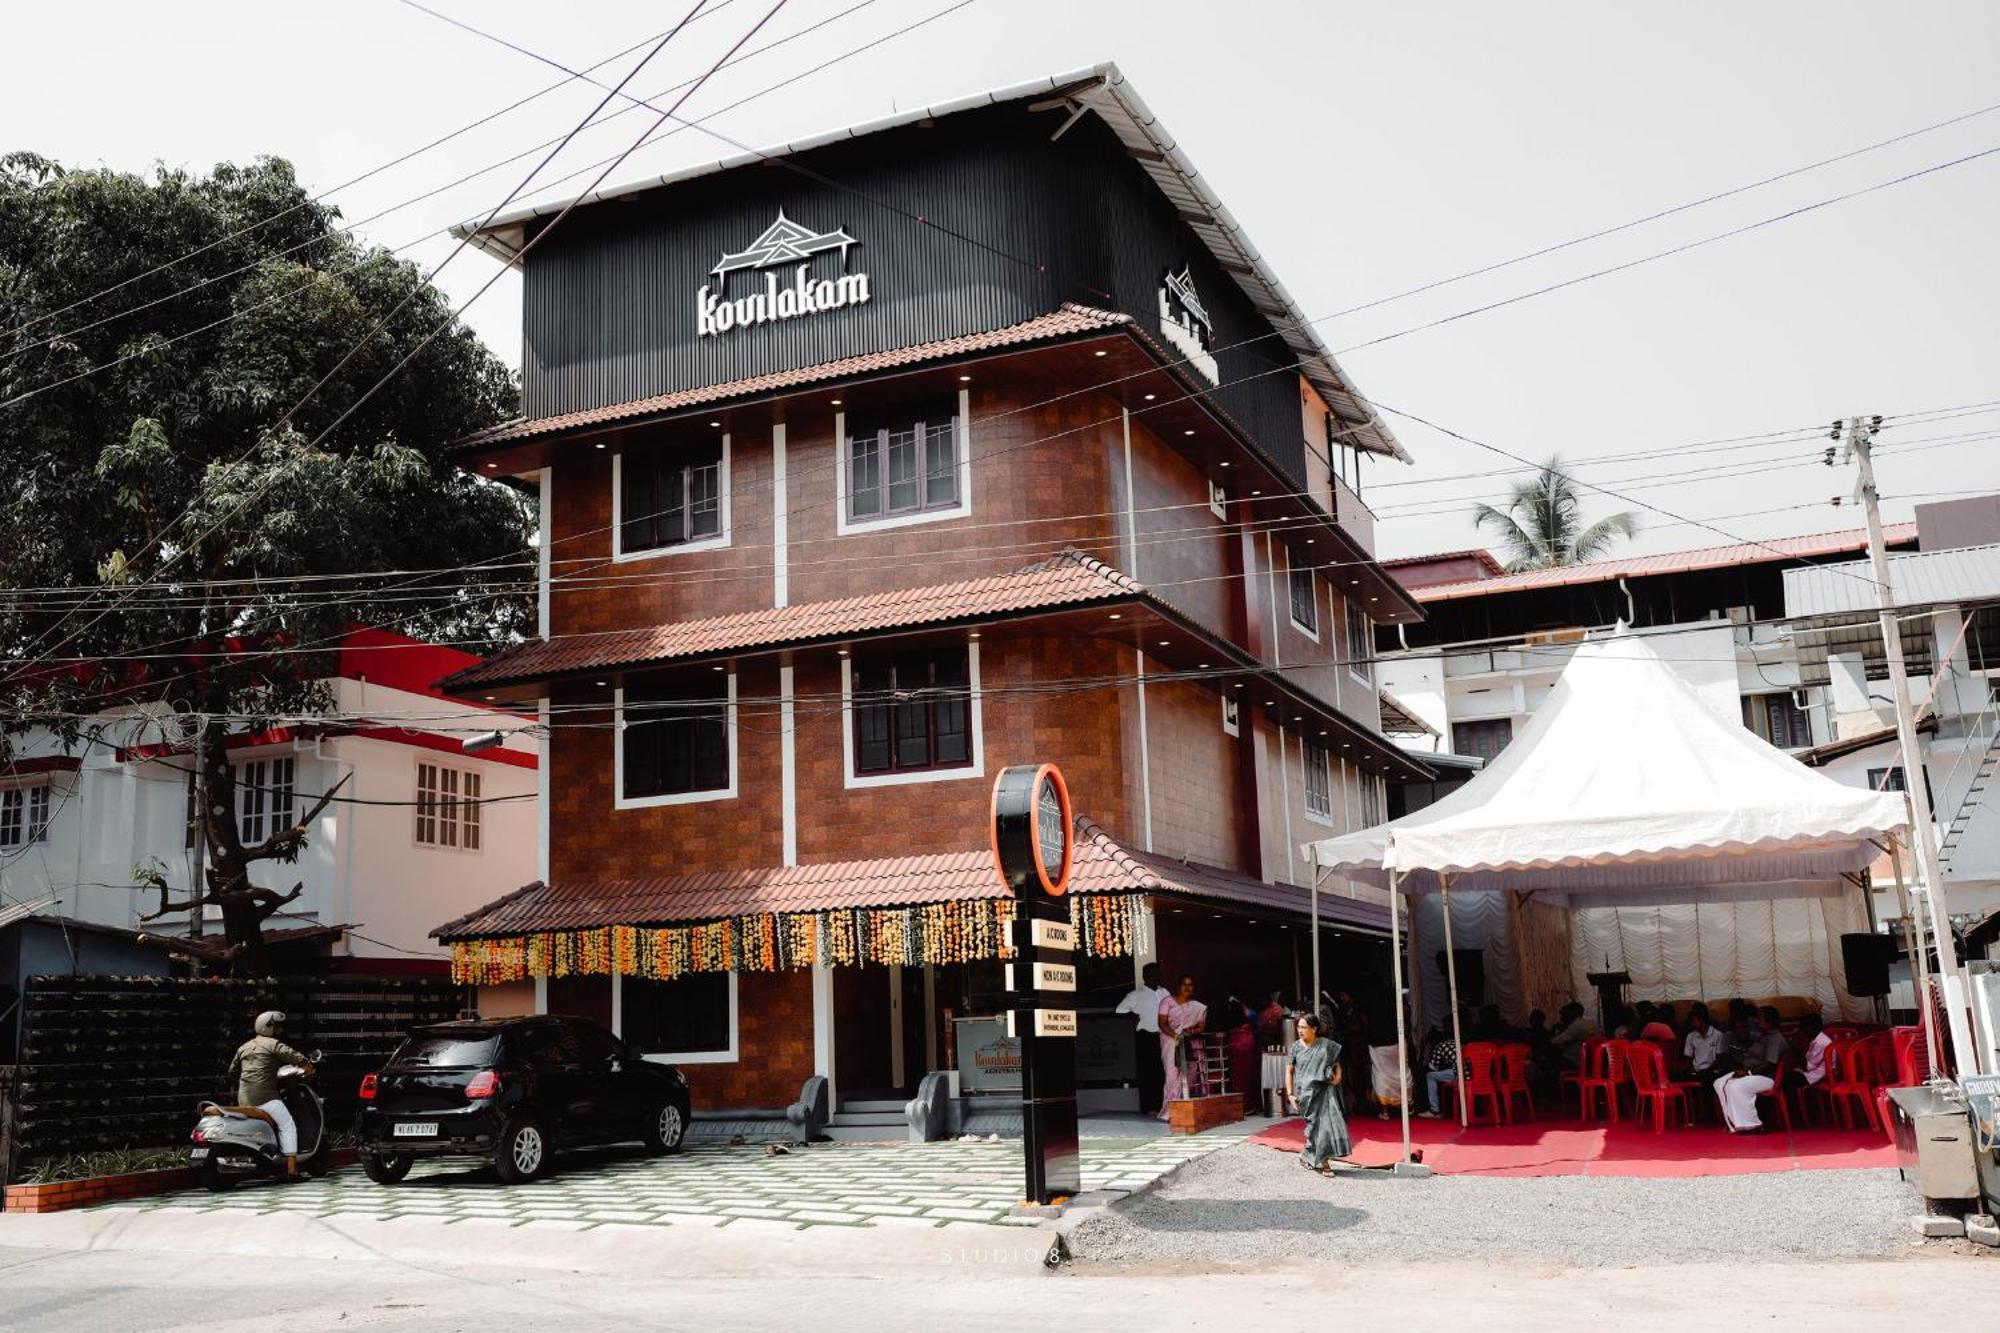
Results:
<point x="611" y="299"/>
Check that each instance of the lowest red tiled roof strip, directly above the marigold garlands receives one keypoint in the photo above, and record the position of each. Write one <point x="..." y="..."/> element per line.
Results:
<point x="1103" y="866"/>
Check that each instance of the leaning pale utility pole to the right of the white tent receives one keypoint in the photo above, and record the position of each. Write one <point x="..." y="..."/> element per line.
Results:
<point x="1859" y="437"/>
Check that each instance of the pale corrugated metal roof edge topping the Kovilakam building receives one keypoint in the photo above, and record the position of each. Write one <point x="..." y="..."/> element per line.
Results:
<point x="1105" y="91"/>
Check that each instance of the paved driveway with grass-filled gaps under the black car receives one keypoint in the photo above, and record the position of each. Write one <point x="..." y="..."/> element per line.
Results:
<point x="821" y="1186"/>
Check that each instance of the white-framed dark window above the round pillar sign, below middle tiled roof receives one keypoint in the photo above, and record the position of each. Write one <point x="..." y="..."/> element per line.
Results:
<point x="913" y="712"/>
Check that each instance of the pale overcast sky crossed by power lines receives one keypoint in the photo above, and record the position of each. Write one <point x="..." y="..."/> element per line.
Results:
<point x="1365" y="147"/>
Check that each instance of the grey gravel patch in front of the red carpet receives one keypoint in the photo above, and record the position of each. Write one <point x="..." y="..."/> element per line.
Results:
<point x="1253" y="1206"/>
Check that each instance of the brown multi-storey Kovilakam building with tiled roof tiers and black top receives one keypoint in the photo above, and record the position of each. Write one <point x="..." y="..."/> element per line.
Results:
<point x="875" y="465"/>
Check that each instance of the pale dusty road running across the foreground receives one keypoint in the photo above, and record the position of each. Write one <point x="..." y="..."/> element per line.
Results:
<point x="141" y="1292"/>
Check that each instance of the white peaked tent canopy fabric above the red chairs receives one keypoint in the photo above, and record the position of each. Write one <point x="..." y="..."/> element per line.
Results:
<point x="1625" y="788"/>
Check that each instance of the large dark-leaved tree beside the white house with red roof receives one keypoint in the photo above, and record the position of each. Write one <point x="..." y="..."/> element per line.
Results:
<point x="167" y="503"/>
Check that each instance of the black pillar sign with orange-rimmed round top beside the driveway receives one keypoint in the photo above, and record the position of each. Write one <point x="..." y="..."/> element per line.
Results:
<point x="1035" y="846"/>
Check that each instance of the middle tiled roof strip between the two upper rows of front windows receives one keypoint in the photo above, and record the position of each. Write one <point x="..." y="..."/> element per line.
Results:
<point x="1059" y="581"/>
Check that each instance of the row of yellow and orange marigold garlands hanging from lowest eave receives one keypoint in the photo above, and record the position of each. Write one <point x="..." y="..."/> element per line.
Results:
<point x="931" y="934"/>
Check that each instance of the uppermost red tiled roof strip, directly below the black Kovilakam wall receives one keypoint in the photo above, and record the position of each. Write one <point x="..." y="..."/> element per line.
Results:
<point x="1065" y="323"/>
